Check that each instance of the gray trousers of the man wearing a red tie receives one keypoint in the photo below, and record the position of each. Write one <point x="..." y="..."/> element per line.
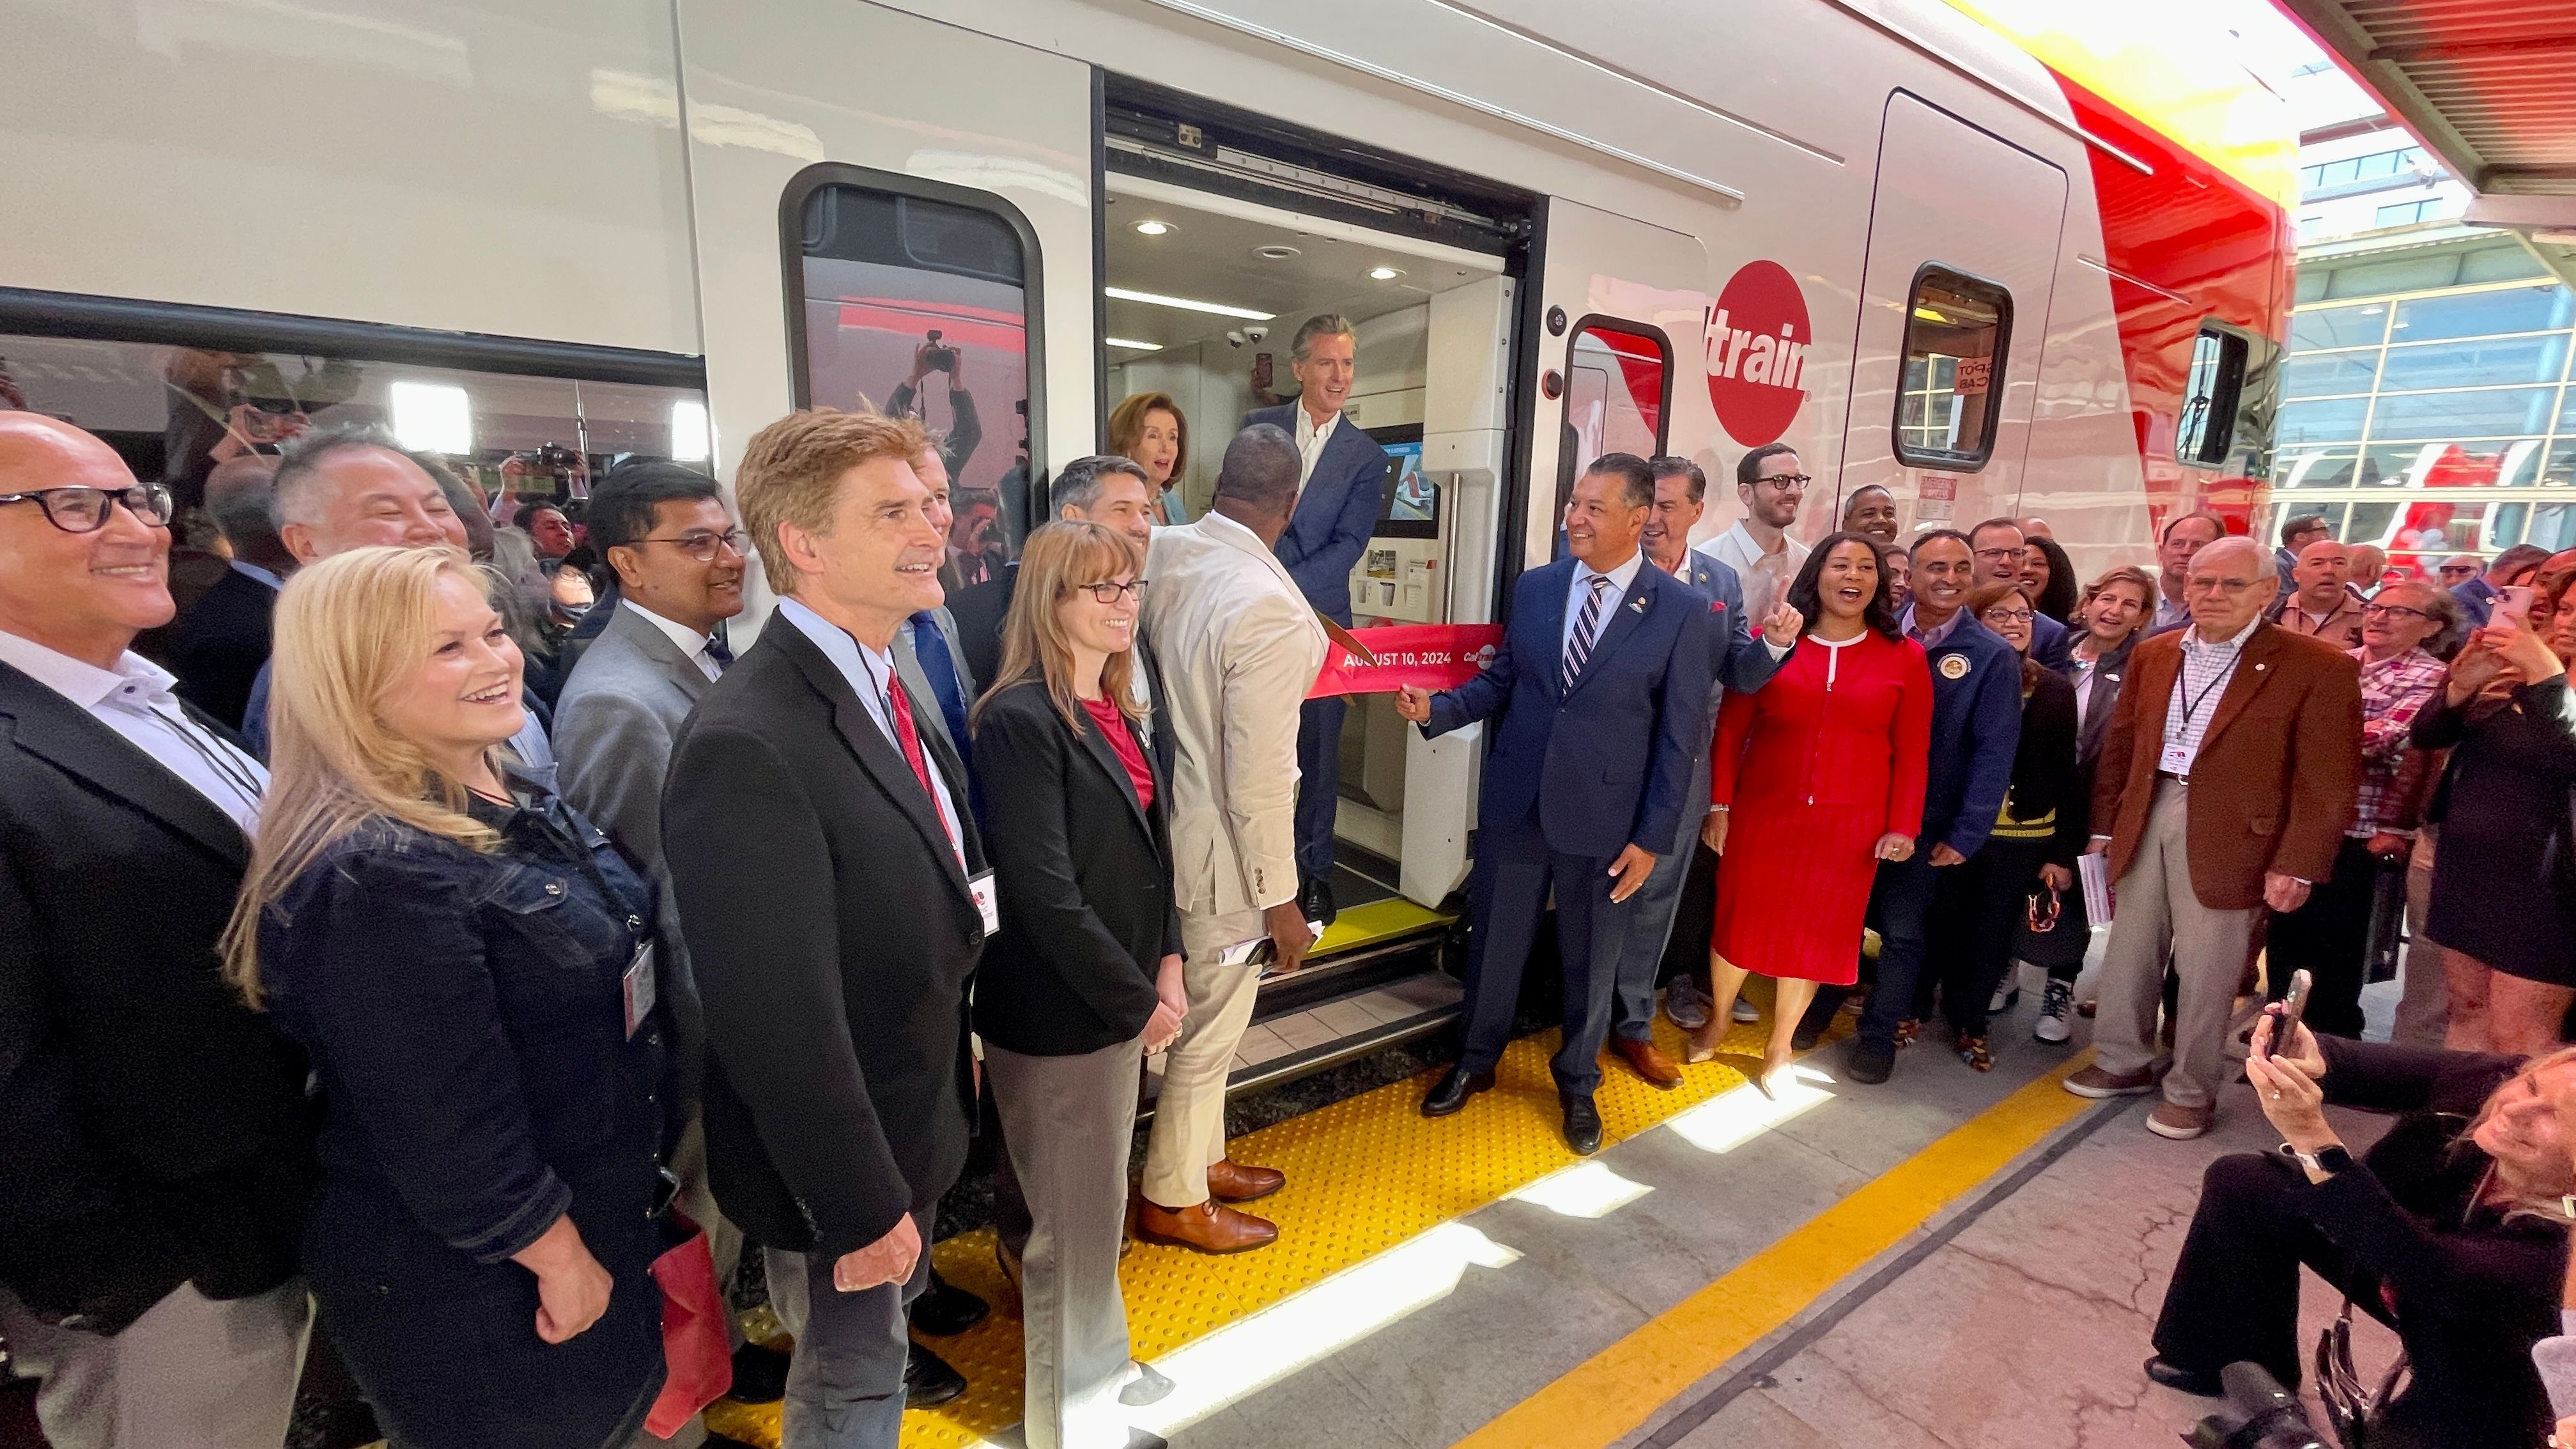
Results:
<point x="846" y="1383"/>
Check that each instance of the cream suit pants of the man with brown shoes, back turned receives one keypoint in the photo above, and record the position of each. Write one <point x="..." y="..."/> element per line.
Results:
<point x="1191" y="1113"/>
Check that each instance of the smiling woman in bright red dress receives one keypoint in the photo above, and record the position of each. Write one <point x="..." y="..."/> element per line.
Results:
<point x="1812" y="783"/>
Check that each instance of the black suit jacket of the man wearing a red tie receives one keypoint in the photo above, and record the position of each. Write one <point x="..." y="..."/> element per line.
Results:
<point x="833" y="942"/>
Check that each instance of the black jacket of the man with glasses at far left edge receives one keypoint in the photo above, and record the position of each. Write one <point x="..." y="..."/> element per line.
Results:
<point x="153" y="1128"/>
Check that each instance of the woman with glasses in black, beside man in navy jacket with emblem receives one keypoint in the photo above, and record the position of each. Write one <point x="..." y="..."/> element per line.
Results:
<point x="2034" y="844"/>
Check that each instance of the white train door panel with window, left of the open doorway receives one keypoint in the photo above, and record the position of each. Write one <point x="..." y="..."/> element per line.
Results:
<point x="867" y="236"/>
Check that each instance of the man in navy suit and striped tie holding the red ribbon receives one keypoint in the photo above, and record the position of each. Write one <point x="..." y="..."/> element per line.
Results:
<point x="1604" y="695"/>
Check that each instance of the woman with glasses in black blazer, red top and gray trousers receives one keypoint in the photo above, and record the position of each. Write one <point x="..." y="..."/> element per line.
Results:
<point x="1083" y="978"/>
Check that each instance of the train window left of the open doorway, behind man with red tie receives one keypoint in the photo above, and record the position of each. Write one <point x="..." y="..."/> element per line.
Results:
<point x="923" y="298"/>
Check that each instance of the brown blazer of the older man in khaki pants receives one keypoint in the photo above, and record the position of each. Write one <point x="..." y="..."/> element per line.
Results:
<point x="2276" y="775"/>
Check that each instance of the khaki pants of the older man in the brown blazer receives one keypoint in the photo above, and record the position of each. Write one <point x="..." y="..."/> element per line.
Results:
<point x="2209" y="950"/>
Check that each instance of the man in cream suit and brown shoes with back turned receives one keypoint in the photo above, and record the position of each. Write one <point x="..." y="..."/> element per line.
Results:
<point x="1238" y="648"/>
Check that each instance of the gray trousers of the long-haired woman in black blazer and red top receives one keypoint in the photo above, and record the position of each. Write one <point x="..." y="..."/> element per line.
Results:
<point x="1068" y="1125"/>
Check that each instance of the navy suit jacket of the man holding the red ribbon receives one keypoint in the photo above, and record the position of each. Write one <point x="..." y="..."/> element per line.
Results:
<point x="1609" y="762"/>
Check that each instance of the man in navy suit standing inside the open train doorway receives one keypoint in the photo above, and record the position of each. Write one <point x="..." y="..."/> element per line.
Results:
<point x="1341" y="489"/>
